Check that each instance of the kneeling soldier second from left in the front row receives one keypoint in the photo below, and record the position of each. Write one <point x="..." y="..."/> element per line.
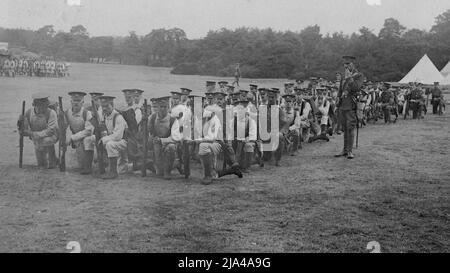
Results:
<point x="78" y="120"/>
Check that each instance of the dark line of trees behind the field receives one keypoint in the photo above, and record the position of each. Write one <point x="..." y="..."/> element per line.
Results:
<point x="262" y="53"/>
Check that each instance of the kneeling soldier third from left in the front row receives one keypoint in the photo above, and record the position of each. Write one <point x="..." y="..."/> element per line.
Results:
<point x="113" y="135"/>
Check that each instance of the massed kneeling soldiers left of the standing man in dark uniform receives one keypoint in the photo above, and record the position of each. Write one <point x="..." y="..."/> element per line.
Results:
<point x="223" y="111"/>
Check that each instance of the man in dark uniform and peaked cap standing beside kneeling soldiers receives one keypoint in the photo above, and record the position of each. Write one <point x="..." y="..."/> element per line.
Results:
<point x="350" y="87"/>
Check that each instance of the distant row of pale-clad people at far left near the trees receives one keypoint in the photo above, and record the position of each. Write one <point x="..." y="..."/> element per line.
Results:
<point x="11" y="67"/>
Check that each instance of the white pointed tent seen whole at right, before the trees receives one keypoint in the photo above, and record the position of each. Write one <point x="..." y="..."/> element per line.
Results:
<point x="424" y="72"/>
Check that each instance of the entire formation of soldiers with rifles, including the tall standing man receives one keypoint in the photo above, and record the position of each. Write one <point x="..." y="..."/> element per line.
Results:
<point x="165" y="134"/>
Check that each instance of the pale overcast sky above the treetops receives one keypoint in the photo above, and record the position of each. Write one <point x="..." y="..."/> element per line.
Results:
<point x="196" y="17"/>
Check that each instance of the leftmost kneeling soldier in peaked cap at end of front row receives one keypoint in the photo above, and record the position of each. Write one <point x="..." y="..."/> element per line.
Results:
<point x="40" y="124"/>
